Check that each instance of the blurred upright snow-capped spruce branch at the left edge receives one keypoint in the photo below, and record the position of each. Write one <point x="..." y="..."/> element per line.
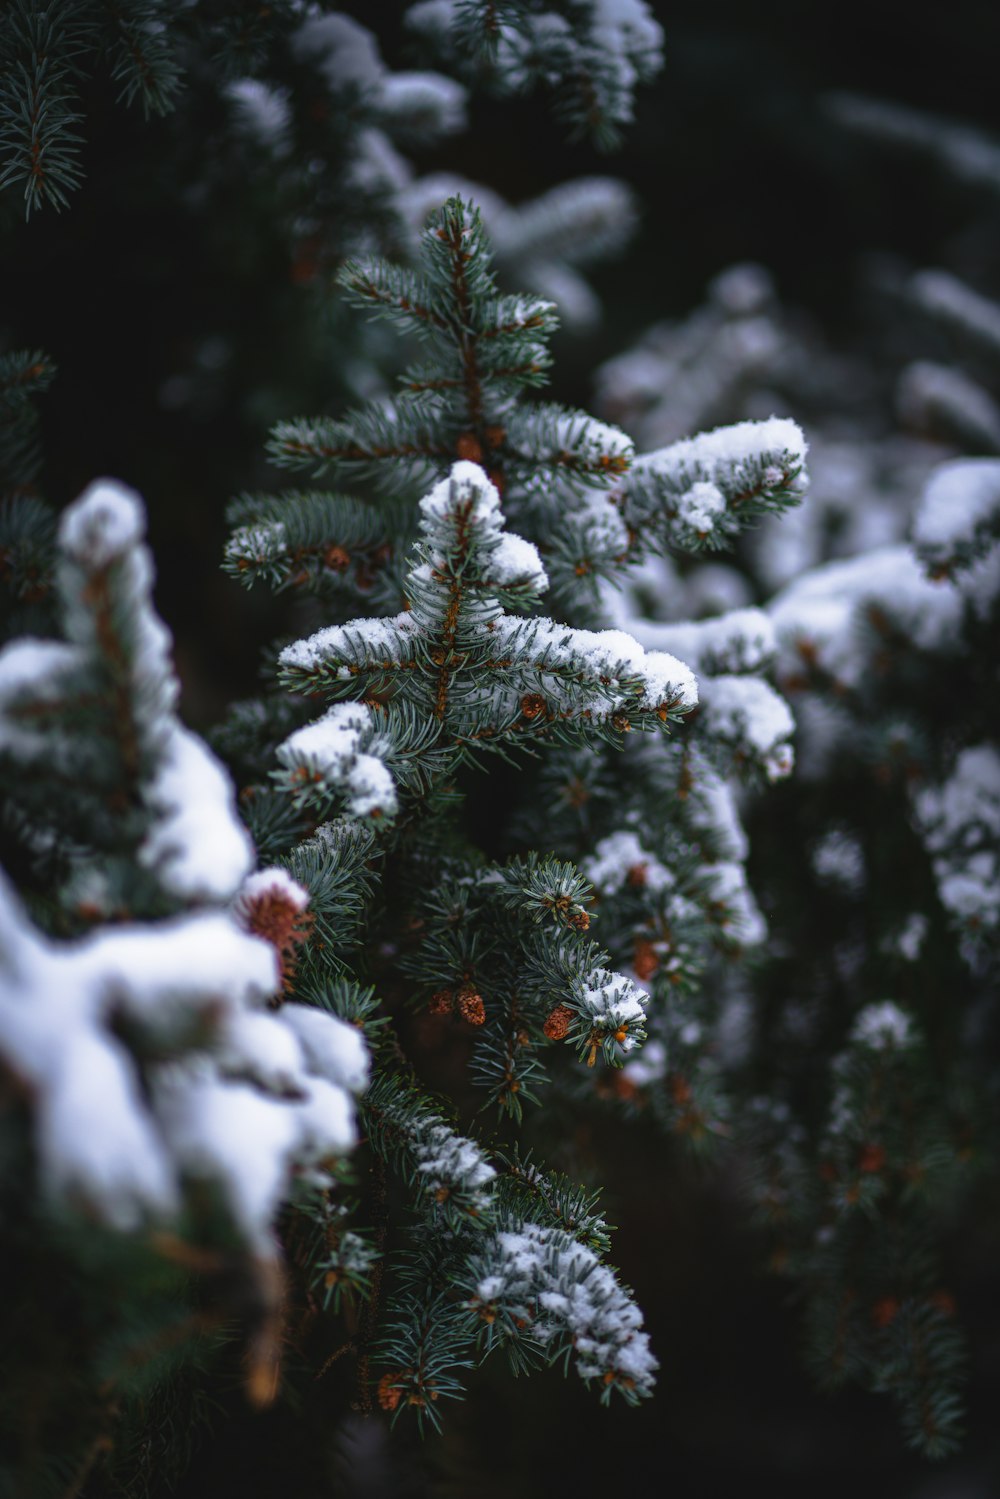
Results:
<point x="100" y="710"/>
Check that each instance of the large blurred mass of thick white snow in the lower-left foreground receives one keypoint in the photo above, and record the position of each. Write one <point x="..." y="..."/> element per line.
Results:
<point x="121" y="1147"/>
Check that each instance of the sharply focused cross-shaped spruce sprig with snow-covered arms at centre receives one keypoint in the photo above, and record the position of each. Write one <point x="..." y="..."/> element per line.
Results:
<point x="457" y="656"/>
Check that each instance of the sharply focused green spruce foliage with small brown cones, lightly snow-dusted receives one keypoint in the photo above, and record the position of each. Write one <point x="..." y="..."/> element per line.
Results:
<point x="493" y="945"/>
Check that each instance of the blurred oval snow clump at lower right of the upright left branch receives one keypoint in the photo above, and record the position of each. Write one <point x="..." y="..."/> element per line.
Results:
<point x="197" y="848"/>
